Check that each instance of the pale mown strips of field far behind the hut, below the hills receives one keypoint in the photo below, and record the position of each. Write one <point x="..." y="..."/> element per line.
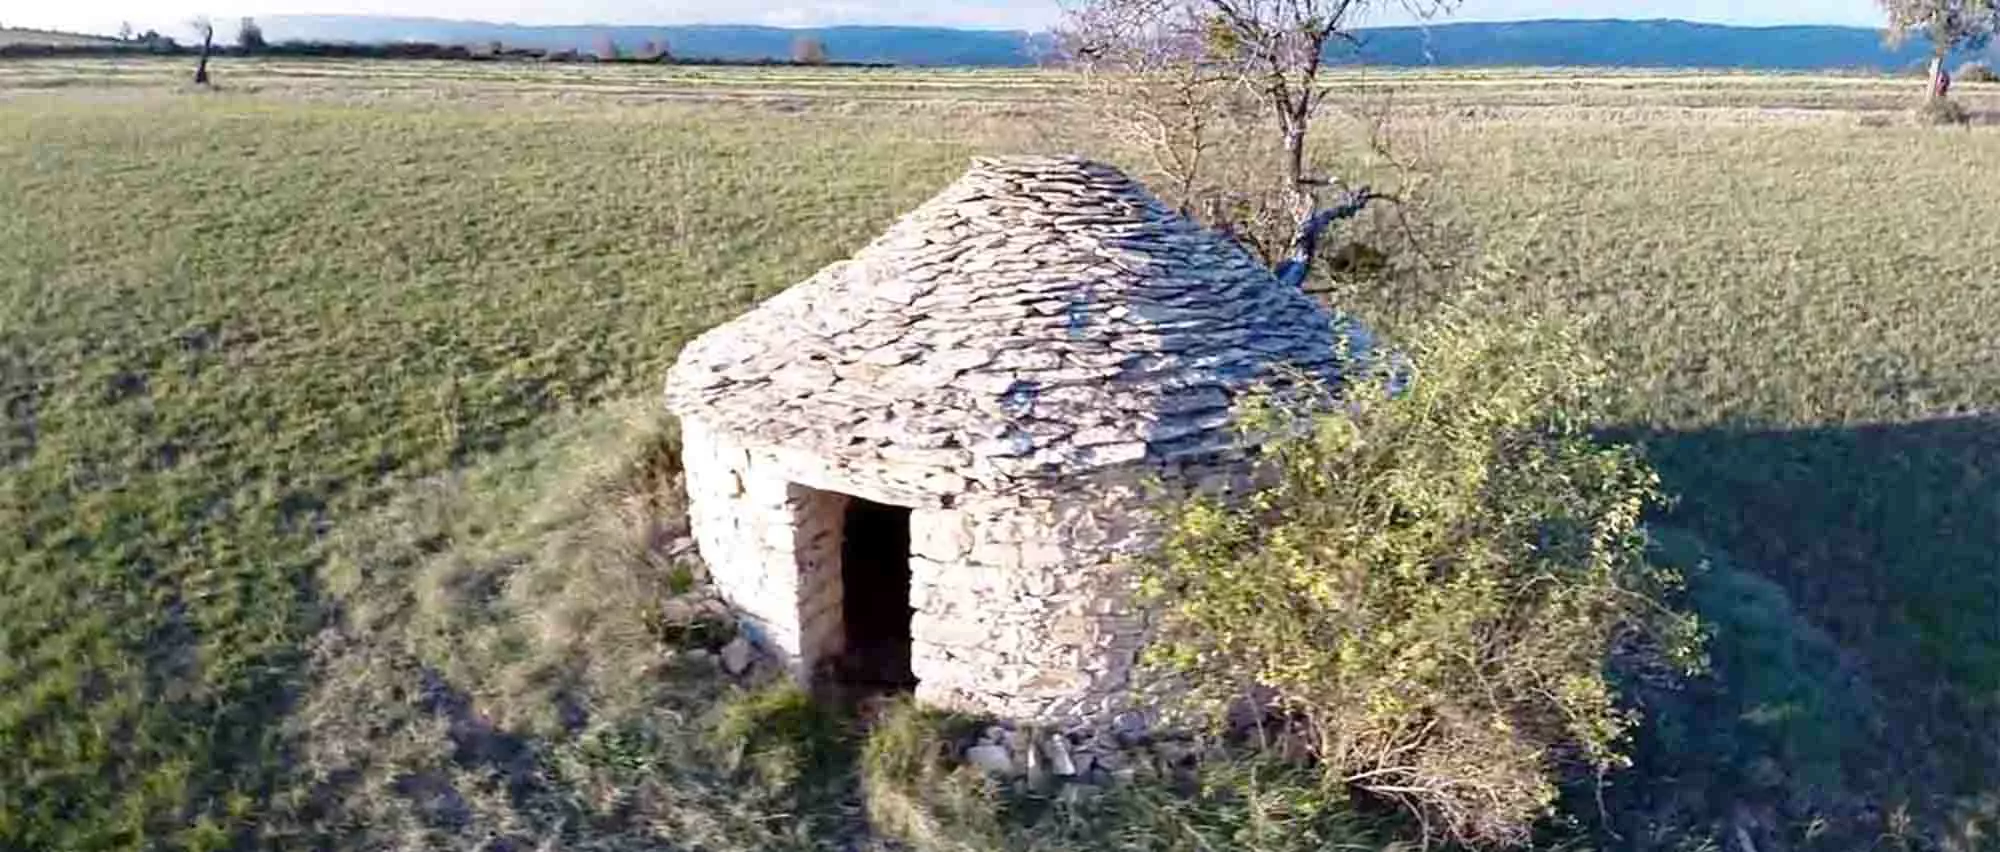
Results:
<point x="1461" y="93"/>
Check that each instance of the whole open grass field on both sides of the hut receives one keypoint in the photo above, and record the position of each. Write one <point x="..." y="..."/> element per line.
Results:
<point x="241" y="329"/>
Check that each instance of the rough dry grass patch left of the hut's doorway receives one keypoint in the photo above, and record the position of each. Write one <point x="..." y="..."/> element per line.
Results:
<point x="515" y="661"/>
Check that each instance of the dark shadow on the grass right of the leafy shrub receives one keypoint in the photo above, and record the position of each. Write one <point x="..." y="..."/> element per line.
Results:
<point x="1887" y="537"/>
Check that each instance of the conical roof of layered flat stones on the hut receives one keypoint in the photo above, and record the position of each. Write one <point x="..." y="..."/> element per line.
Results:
<point x="1041" y="317"/>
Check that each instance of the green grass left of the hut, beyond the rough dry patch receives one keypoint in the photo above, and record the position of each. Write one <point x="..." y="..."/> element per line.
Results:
<point x="227" y="327"/>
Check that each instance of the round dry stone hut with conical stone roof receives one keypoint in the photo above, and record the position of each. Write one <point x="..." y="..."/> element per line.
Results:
<point x="923" y="467"/>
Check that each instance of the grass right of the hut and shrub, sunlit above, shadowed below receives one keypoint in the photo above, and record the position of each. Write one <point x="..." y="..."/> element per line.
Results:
<point x="1801" y="323"/>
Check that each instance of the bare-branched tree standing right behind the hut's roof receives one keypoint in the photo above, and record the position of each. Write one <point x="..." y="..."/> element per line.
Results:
<point x="1207" y="59"/>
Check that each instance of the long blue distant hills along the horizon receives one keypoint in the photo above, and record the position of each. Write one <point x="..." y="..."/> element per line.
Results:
<point x="1537" y="43"/>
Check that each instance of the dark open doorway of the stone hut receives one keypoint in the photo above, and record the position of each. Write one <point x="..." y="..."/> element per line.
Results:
<point x="875" y="597"/>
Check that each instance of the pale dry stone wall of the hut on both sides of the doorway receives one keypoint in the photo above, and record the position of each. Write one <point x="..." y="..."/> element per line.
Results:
<point x="1023" y="603"/>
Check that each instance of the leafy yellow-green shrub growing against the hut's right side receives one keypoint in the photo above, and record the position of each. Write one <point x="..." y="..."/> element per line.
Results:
<point x="1435" y="583"/>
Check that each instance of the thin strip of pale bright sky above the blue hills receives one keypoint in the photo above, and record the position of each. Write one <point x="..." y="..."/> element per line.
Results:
<point x="169" y="15"/>
